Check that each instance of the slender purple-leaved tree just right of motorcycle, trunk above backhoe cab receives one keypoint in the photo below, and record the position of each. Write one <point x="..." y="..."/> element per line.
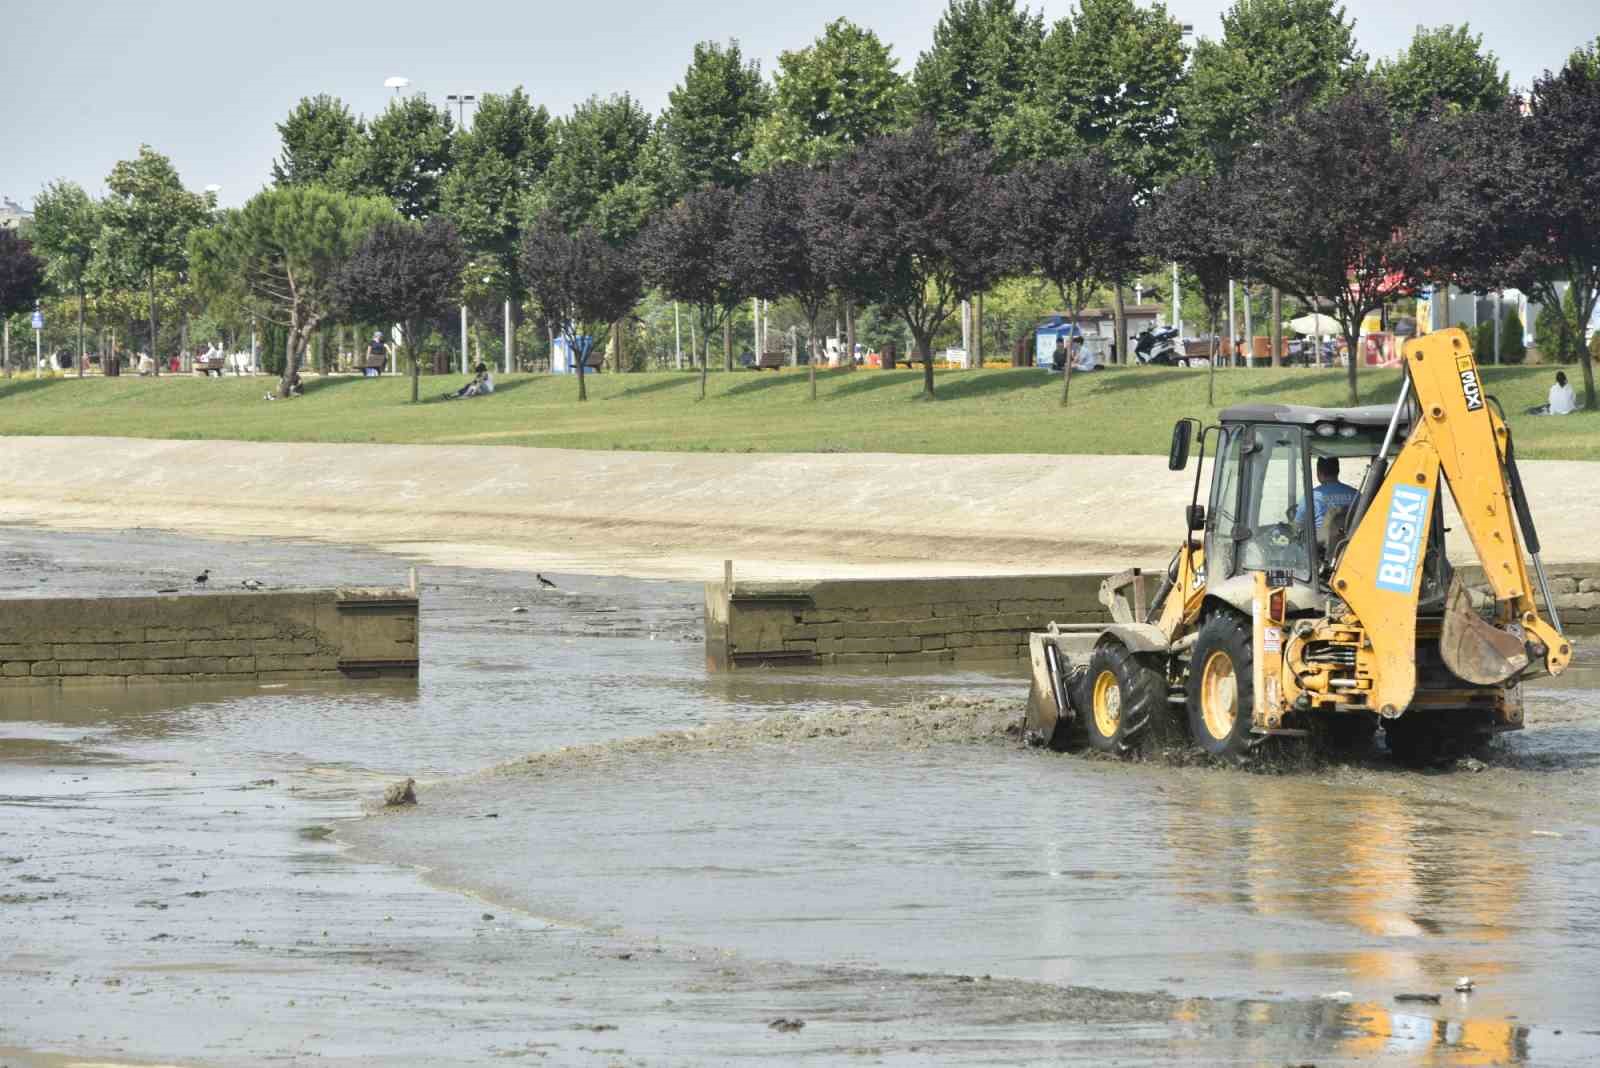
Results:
<point x="1190" y="223"/>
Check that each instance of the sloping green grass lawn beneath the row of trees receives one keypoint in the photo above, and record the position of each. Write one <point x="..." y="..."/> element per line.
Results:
<point x="871" y="412"/>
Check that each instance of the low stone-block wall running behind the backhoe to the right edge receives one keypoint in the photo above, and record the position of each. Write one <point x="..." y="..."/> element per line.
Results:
<point x="910" y="621"/>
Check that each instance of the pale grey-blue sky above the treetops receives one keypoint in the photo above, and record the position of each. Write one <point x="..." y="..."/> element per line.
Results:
<point x="206" y="84"/>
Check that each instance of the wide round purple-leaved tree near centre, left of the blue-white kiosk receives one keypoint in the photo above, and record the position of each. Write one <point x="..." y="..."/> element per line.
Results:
<point x="910" y="220"/>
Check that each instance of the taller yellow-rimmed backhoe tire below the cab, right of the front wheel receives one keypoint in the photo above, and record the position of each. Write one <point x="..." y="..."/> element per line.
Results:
<point x="1222" y="691"/>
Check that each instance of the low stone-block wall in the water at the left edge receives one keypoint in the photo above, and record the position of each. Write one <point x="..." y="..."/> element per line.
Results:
<point x="209" y="637"/>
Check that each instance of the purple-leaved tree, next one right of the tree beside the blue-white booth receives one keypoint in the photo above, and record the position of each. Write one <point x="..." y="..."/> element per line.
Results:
<point x="689" y="253"/>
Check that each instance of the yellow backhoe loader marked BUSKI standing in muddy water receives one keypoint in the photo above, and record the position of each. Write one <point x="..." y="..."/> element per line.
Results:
<point x="1300" y="605"/>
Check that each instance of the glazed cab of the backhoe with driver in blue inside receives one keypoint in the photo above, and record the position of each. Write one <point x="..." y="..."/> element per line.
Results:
<point x="1286" y="487"/>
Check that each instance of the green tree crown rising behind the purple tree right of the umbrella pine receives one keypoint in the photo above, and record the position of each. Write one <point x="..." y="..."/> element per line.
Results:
<point x="402" y="156"/>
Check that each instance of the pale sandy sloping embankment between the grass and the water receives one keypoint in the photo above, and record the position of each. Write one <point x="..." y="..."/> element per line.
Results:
<point x="666" y="516"/>
